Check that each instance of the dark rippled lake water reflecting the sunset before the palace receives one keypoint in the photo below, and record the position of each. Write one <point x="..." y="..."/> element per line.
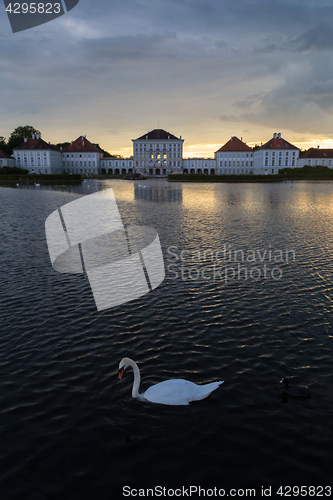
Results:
<point x="247" y="298"/>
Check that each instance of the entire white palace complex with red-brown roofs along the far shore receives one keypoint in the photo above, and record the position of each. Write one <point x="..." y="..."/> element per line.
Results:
<point x="161" y="153"/>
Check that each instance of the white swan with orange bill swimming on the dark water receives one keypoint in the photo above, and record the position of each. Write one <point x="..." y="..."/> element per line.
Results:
<point x="169" y="392"/>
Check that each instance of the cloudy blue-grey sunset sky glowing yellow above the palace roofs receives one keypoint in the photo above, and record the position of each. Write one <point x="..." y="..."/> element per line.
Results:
<point x="203" y="69"/>
